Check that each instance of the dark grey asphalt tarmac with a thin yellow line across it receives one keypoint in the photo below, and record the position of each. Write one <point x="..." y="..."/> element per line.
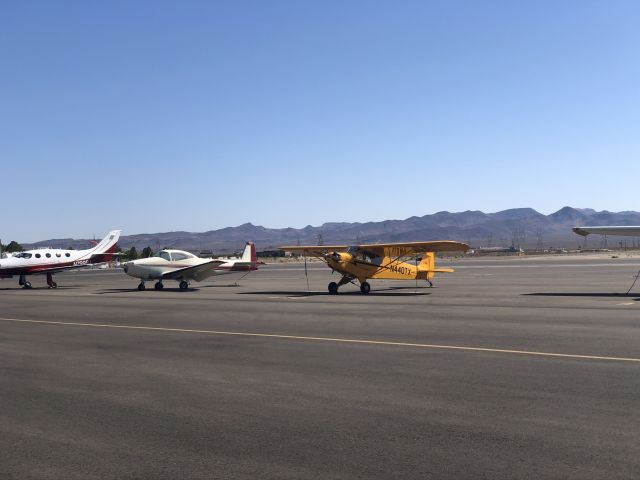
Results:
<point x="514" y="368"/>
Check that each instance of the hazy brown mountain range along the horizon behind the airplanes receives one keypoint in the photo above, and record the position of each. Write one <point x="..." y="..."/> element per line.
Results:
<point x="523" y="227"/>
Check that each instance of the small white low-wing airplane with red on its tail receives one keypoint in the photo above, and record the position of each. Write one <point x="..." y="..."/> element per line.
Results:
<point x="184" y="267"/>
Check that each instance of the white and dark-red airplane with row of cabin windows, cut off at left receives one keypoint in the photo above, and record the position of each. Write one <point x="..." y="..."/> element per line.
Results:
<point x="47" y="261"/>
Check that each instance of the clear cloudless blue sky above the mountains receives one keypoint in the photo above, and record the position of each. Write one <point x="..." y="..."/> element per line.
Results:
<point x="157" y="116"/>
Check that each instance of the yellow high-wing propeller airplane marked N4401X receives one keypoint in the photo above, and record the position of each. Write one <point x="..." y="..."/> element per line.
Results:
<point x="382" y="260"/>
